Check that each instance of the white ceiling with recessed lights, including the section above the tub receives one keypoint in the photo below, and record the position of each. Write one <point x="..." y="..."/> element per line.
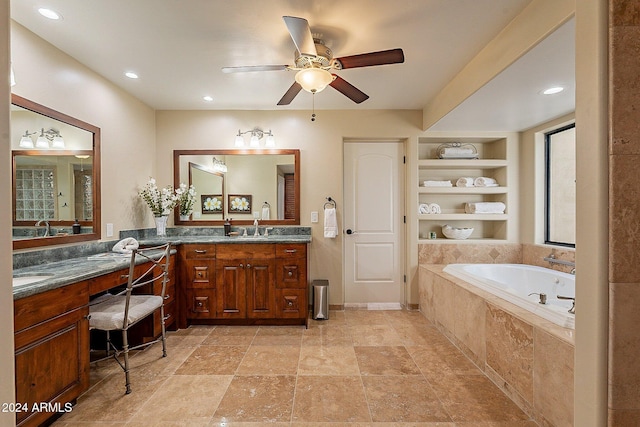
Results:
<point x="179" y="47"/>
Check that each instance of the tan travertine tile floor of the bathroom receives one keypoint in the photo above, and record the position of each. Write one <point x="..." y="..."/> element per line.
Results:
<point x="360" y="368"/>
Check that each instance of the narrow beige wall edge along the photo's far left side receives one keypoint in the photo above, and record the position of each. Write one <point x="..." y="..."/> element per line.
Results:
<point x="6" y="298"/>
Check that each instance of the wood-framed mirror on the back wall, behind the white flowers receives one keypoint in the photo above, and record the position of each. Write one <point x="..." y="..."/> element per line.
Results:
<point x="241" y="185"/>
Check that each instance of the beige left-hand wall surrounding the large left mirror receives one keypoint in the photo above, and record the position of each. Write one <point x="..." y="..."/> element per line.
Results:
<point x="50" y="77"/>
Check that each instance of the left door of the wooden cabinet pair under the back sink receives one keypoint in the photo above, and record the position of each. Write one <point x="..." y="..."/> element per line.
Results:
<point x="231" y="289"/>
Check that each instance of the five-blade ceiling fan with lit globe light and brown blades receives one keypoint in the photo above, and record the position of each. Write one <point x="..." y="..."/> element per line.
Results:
<point x="313" y="62"/>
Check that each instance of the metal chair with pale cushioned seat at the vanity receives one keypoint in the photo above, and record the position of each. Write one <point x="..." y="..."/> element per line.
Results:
<point x="120" y="311"/>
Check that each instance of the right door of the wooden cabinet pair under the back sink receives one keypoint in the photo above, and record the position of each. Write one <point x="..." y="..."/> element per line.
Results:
<point x="260" y="283"/>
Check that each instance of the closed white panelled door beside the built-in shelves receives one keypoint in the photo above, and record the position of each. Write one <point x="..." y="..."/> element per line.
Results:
<point x="374" y="224"/>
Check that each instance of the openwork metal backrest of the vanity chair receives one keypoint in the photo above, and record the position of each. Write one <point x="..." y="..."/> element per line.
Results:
<point x="147" y="267"/>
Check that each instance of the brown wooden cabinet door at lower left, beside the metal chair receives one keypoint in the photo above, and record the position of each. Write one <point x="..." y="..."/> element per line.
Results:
<point x="52" y="363"/>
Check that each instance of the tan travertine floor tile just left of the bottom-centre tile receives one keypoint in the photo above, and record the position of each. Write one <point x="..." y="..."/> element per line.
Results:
<point x="257" y="399"/>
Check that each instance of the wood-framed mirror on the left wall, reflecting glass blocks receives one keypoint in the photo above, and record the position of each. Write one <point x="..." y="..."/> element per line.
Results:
<point x="55" y="176"/>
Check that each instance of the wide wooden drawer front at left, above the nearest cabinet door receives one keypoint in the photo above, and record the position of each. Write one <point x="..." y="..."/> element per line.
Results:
<point x="37" y="308"/>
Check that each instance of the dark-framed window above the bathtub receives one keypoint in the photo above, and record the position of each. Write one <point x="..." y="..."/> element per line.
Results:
<point x="560" y="206"/>
